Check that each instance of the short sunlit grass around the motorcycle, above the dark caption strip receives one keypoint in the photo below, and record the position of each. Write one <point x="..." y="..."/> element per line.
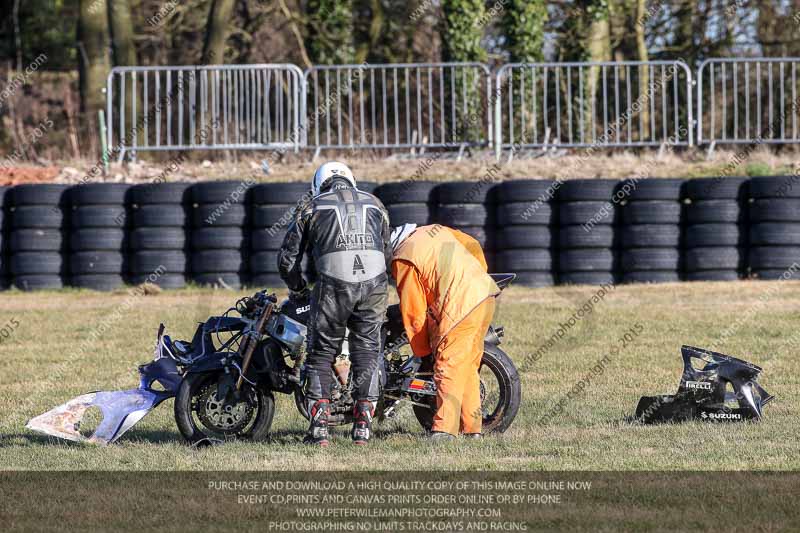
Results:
<point x="40" y="367"/>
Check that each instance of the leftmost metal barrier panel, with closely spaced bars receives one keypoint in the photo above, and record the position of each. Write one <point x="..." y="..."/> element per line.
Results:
<point x="214" y="107"/>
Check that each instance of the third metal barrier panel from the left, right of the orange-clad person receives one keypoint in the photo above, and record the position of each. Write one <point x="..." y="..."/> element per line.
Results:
<point x="603" y="104"/>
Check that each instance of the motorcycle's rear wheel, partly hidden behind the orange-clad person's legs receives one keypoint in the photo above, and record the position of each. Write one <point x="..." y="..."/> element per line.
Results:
<point x="501" y="393"/>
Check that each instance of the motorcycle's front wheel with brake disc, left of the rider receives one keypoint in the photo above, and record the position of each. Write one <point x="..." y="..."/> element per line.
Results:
<point x="202" y="417"/>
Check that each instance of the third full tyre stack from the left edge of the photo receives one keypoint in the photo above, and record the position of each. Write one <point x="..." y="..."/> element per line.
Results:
<point x="159" y="234"/>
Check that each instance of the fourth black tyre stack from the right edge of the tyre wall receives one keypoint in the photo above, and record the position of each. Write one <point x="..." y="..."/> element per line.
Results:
<point x="587" y="244"/>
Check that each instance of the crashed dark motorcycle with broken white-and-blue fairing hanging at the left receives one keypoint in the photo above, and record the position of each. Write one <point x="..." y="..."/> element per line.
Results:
<point x="224" y="379"/>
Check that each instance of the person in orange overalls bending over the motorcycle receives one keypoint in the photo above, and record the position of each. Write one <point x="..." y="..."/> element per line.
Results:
<point x="447" y="304"/>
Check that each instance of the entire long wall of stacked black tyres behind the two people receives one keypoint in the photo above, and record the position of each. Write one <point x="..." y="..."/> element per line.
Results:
<point x="228" y="233"/>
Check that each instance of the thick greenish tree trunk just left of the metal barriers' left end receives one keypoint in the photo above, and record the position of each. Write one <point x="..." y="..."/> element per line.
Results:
<point x="93" y="44"/>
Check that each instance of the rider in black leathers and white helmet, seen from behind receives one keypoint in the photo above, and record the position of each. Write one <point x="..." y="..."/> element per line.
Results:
<point x="347" y="233"/>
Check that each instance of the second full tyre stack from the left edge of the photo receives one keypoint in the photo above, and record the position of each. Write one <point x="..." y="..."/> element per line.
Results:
<point x="98" y="242"/>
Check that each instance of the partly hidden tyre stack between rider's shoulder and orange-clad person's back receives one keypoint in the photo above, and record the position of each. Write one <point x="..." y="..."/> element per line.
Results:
<point x="408" y="202"/>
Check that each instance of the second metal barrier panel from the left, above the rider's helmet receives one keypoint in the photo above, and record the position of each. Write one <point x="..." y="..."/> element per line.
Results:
<point x="403" y="105"/>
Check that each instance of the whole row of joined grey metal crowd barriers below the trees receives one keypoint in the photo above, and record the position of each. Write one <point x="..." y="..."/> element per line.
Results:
<point x="452" y="105"/>
